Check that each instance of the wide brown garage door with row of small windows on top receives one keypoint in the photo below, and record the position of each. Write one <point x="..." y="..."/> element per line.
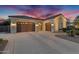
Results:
<point x="25" y="27"/>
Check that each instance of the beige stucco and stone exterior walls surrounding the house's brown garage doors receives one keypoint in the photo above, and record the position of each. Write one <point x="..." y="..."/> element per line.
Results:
<point x="54" y="23"/>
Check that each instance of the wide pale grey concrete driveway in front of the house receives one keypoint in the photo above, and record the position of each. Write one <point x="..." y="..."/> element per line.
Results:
<point x="38" y="43"/>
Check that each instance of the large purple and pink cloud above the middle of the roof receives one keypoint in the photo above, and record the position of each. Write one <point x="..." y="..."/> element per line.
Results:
<point x="38" y="10"/>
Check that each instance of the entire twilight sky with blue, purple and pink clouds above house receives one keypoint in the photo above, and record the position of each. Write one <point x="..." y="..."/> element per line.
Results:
<point x="39" y="11"/>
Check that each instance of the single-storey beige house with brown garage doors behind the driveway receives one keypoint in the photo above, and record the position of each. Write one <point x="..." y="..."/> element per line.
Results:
<point x="28" y="24"/>
